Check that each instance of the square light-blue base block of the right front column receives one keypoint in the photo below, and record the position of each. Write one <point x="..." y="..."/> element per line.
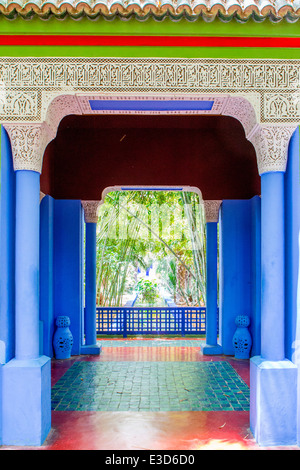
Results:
<point x="273" y="401"/>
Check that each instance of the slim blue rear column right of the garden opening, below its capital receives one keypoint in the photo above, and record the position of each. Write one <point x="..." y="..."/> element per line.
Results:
<point x="212" y="346"/>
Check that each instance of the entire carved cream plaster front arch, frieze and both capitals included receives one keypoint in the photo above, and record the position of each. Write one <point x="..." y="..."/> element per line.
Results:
<point x="36" y="93"/>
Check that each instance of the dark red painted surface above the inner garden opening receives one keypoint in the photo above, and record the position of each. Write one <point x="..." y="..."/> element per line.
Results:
<point x="90" y="153"/>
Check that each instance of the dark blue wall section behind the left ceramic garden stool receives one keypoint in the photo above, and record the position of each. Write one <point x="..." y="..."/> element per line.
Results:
<point x="68" y="266"/>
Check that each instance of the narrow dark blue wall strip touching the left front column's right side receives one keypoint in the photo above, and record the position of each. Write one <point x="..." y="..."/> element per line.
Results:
<point x="46" y="274"/>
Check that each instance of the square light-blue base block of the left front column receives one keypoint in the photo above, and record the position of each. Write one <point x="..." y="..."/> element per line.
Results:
<point x="26" y="405"/>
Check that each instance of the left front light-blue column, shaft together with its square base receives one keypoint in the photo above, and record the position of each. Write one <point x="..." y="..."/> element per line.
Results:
<point x="26" y="386"/>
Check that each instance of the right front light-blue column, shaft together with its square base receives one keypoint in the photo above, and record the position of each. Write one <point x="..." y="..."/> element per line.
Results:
<point x="273" y="391"/>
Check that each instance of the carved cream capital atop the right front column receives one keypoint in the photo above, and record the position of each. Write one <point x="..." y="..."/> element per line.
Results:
<point x="271" y="146"/>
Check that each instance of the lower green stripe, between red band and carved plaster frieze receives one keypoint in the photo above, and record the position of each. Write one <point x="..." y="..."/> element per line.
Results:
<point x="182" y="52"/>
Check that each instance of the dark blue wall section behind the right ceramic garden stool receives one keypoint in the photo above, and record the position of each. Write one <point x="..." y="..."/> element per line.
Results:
<point x="239" y="269"/>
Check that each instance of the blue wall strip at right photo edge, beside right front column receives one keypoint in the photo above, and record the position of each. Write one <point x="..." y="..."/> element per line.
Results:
<point x="292" y="230"/>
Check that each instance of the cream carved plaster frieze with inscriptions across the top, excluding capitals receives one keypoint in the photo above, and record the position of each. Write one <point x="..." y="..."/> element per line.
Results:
<point x="29" y="85"/>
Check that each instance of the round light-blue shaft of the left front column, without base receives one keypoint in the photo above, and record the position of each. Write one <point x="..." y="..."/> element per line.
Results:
<point x="27" y="264"/>
